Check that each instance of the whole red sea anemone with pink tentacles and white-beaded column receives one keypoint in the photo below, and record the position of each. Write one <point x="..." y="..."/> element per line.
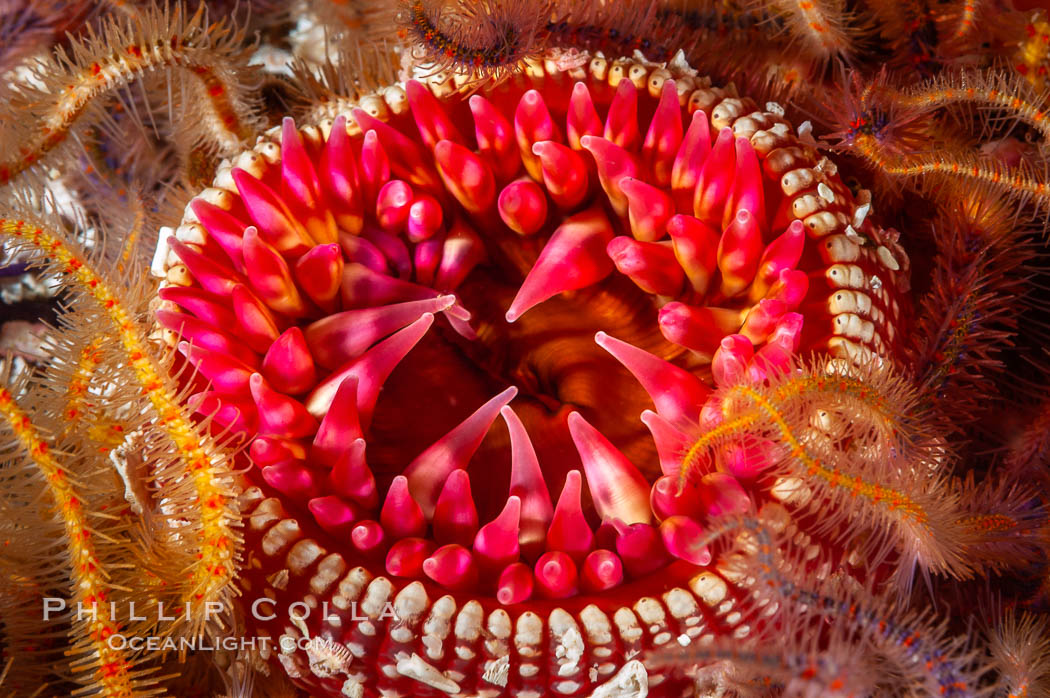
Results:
<point x="603" y="229"/>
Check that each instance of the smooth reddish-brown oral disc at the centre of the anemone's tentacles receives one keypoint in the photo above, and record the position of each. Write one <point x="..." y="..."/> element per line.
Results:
<point x="550" y="356"/>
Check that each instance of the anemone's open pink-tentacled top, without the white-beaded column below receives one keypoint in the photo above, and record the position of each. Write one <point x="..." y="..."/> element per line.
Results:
<point x="358" y="293"/>
